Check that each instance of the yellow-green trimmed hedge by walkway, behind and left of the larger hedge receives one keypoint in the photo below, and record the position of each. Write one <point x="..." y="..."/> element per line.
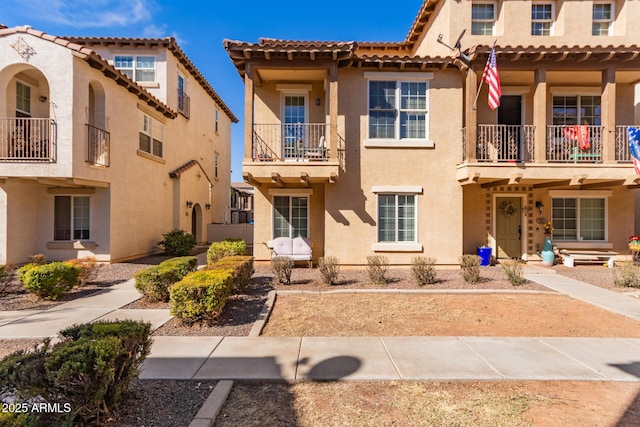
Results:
<point x="154" y="282"/>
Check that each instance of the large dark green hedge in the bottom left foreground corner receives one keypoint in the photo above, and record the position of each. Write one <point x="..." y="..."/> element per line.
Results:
<point x="86" y="374"/>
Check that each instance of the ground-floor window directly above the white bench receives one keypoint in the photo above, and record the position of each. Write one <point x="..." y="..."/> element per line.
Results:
<point x="290" y="216"/>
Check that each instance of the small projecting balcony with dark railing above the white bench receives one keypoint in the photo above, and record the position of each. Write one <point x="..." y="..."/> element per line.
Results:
<point x="293" y="153"/>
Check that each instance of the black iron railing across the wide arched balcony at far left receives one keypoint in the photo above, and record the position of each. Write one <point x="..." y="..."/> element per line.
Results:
<point x="27" y="140"/>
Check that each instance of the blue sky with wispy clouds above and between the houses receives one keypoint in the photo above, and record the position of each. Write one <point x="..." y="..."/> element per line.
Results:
<point x="199" y="27"/>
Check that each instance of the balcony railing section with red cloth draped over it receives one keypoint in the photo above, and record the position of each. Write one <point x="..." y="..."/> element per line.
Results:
<point x="574" y="144"/>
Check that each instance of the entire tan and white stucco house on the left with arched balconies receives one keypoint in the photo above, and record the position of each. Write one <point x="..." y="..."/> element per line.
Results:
<point x="105" y="144"/>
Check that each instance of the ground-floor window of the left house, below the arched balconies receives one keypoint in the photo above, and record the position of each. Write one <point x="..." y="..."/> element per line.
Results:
<point x="72" y="216"/>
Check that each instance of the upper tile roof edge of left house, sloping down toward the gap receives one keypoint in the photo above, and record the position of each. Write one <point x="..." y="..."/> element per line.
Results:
<point x="167" y="43"/>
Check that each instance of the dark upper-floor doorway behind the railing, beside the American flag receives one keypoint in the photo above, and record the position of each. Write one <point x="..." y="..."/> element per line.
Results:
<point x="510" y="134"/>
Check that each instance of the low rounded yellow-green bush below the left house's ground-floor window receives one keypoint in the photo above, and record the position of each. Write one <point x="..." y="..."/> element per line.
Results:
<point x="49" y="281"/>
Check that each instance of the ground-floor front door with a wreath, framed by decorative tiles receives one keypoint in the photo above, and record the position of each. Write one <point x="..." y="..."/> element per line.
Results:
<point x="508" y="227"/>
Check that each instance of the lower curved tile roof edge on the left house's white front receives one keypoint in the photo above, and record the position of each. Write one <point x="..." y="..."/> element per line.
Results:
<point x="99" y="63"/>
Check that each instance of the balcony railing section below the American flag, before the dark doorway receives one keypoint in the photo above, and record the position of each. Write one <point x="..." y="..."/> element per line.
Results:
<point x="505" y="143"/>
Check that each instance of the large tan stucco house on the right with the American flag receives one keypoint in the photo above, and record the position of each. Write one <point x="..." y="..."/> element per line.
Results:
<point x="376" y="147"/>
